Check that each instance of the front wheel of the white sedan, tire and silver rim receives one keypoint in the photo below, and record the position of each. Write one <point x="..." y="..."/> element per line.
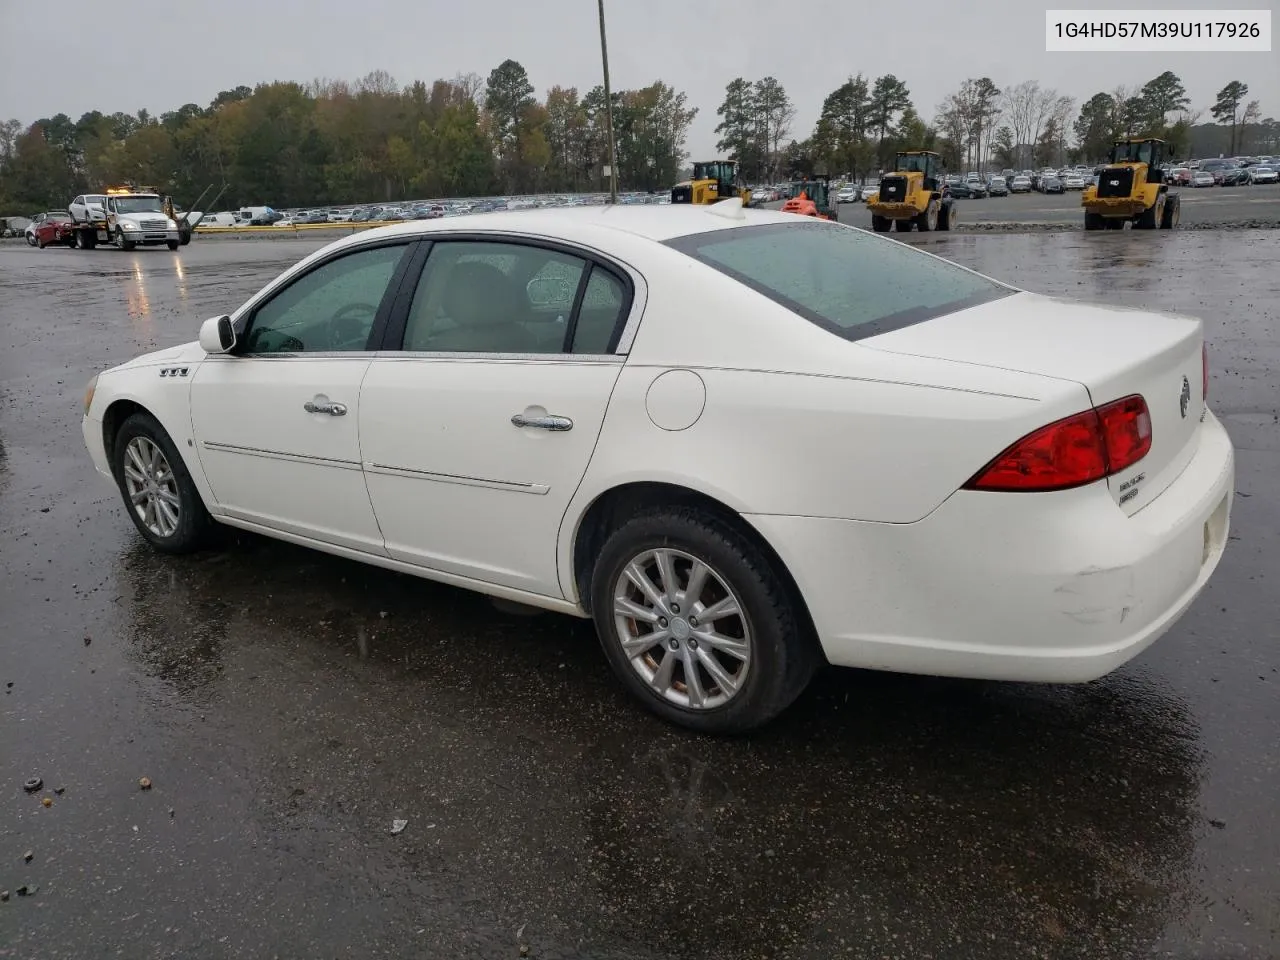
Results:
<point x="158" y="490"/>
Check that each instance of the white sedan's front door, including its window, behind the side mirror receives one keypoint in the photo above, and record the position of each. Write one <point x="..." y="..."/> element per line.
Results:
<point x="277" y="422"/>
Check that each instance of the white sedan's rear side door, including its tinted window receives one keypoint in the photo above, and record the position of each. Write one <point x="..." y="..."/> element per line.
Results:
<point x="477" y="435"/>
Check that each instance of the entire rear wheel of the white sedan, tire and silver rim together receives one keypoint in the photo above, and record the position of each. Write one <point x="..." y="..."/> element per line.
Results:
<point x="698" y="624"/>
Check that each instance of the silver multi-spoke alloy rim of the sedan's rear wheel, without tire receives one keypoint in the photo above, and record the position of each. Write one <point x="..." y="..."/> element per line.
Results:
<point x="683" y="629"/>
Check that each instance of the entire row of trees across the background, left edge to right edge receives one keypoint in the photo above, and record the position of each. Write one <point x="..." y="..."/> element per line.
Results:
<point x="332" y="141"/>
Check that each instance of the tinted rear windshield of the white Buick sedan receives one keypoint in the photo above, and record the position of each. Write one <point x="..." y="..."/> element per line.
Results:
<point x="849" y="282"/>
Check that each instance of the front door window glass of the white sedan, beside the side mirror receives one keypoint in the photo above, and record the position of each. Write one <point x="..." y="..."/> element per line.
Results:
<point x="330" y="309"/>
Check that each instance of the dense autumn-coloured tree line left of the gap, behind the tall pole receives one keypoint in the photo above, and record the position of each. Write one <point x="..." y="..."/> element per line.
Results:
<point x="331" y="141"/>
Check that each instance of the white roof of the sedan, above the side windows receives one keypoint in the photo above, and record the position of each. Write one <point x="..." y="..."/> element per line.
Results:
<point x="657" y="223"/>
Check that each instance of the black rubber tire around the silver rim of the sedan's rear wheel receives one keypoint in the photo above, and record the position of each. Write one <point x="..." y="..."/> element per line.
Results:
<point x="783" y="651"/>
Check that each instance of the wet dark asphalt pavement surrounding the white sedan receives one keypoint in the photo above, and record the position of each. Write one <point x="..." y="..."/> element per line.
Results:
<point x="289" y="706"/>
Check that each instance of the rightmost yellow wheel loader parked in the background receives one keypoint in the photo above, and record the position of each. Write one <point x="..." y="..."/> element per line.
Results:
<point x="1131" y="189"/>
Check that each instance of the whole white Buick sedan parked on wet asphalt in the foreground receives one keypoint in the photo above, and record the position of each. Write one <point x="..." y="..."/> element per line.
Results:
<point x="737" y="440"/>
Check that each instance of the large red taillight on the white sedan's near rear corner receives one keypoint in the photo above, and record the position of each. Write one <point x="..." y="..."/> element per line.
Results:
<point x="1072" y="452"/>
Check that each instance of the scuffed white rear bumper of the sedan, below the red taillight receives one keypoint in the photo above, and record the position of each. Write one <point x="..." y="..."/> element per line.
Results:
<point x="1054" y="588"/>
